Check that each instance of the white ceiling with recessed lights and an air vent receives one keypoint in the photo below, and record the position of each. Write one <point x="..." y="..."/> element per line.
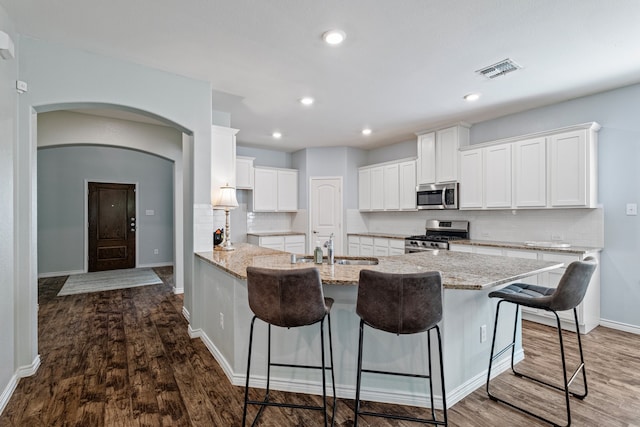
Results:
<point x="404" y="66"/>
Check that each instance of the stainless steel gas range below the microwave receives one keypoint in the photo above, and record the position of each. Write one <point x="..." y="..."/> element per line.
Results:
<point x="437" y="235"/>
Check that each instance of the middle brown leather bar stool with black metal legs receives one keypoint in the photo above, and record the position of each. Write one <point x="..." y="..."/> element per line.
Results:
<point x="400" y="304"/>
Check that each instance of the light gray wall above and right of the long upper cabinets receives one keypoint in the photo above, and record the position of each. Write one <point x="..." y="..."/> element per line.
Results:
<point x="618" y="111"/>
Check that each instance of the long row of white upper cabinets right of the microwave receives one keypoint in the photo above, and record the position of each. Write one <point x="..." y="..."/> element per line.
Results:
<point x="554" y="169"/>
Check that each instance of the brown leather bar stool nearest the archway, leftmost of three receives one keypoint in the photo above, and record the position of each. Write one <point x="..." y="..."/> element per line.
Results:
<point x="289" y="299"/>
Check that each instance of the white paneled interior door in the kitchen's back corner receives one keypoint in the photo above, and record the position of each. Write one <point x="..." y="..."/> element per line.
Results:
<point x="325" y="212"/>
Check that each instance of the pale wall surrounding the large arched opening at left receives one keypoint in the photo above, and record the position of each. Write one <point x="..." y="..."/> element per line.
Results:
<point x="63" y="78"/>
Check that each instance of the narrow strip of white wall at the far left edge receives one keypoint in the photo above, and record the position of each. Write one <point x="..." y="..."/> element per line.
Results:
<point x="8" y="113"/>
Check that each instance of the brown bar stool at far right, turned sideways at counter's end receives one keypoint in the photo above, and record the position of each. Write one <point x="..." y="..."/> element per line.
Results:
<point x="567" y="296"/>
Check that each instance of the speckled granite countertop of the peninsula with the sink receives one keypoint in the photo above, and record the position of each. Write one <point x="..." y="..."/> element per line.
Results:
<point x="459" y="270"/>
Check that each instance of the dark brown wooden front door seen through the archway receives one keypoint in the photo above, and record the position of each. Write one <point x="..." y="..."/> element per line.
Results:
<point x="112" y="226"/>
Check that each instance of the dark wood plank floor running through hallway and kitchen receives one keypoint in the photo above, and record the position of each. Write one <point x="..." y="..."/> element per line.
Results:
<point x="124" y="358"/>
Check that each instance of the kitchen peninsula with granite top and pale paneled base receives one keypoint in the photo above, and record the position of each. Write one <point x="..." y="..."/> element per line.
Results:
<point x="221" y="318"/>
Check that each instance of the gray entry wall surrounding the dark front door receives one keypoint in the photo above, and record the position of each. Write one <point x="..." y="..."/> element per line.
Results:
<point x="62" y="172"/>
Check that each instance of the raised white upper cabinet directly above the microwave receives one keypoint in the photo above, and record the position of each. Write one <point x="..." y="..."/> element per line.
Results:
<point x="438" y="154"/>
